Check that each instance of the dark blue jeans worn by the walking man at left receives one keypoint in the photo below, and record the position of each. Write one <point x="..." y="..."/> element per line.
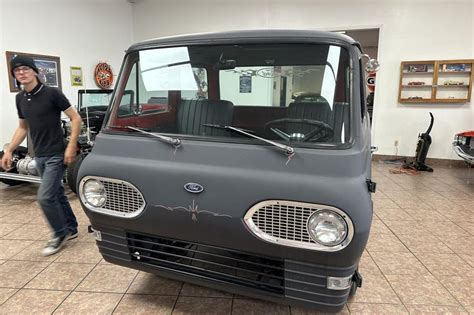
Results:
<point x="51" y="196"/>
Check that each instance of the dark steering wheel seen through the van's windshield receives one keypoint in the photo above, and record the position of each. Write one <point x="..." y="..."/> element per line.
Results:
<point x="320" y="132"/>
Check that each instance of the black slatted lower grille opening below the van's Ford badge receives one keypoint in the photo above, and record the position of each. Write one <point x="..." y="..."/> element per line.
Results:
<point x="216" y="263"/>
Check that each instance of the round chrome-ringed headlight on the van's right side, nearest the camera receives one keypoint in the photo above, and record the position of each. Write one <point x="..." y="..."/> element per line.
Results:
<point x="327" y="227"/>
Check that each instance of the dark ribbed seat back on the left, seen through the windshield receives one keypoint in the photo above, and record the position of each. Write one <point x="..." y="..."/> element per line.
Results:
<point x="192" y="114"/>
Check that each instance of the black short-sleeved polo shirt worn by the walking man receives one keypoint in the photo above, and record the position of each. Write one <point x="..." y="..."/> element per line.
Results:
<point x="42" y="108"/>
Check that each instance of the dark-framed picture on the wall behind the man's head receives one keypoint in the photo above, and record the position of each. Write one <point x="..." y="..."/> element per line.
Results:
<point x="49" y="68"/>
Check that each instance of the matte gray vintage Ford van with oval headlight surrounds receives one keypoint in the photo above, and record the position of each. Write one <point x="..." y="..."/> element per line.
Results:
<point x="239" y="161"/>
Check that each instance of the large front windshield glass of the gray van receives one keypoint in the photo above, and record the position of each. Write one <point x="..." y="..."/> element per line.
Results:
<point x="289" y="93"/>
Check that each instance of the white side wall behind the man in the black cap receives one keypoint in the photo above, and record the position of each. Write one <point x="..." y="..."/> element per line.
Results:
<point x="81" y="33"/>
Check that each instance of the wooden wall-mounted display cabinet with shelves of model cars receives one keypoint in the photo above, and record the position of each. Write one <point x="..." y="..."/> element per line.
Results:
<point x="435" y="81"/>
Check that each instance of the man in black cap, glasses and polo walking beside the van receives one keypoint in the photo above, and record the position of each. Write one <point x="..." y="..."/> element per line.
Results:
<point x="39" y="110"/>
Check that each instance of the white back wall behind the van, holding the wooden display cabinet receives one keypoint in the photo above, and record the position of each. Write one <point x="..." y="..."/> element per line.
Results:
<point x="409" y="30"/>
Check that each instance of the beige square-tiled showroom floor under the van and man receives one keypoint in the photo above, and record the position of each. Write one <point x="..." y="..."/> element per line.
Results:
<point x="419" y="259"/>
